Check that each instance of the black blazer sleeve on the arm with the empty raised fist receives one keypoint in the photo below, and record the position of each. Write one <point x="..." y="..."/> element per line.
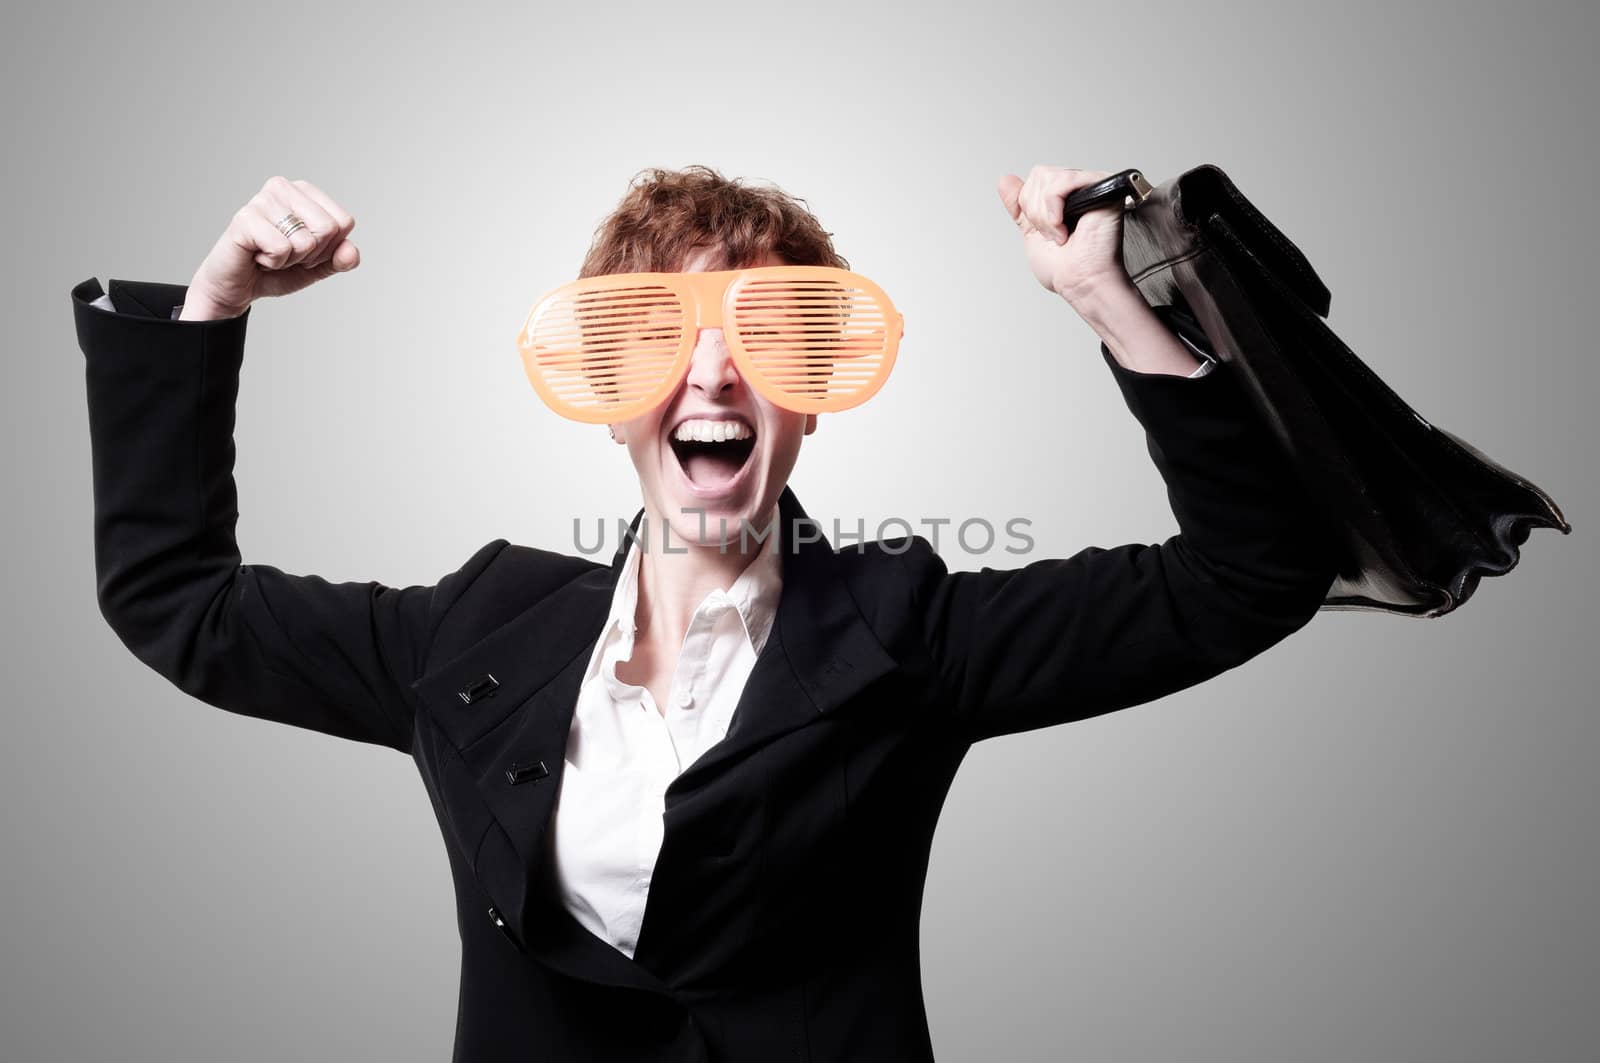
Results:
<point x="170" y="582"/>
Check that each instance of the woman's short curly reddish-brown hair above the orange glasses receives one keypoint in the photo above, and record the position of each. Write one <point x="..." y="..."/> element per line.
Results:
<point x="668" y="215"/>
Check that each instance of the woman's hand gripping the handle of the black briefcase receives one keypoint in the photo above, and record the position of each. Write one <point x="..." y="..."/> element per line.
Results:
<point x="1078" y="268"/>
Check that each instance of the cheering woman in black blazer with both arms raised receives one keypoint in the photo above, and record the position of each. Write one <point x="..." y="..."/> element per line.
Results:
<point x="689" y="796"/>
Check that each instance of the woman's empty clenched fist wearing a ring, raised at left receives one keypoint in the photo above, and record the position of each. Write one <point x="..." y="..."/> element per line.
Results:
<point x="254" y="259"/>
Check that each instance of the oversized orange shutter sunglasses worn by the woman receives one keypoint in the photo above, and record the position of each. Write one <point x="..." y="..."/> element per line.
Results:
<point x="809" y="339"/>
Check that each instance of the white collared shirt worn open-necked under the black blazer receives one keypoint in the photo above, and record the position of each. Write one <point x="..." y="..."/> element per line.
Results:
<point x="623" y="753"/>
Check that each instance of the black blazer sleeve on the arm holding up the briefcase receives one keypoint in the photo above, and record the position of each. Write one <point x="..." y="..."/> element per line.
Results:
<point x="1110" y="628"/>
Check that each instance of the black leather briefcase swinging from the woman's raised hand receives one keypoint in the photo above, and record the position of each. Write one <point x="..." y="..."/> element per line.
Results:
<point x="1422" y="513"/>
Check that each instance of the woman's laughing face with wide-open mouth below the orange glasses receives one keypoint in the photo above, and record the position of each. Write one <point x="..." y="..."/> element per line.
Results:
<point x="714" y="447"/>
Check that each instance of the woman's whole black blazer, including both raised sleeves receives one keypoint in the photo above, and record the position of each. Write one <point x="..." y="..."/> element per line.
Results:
<point x="783" y="918"/>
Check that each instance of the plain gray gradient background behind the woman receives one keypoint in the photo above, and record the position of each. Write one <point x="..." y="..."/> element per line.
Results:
<point x="1375" y="843"/>
